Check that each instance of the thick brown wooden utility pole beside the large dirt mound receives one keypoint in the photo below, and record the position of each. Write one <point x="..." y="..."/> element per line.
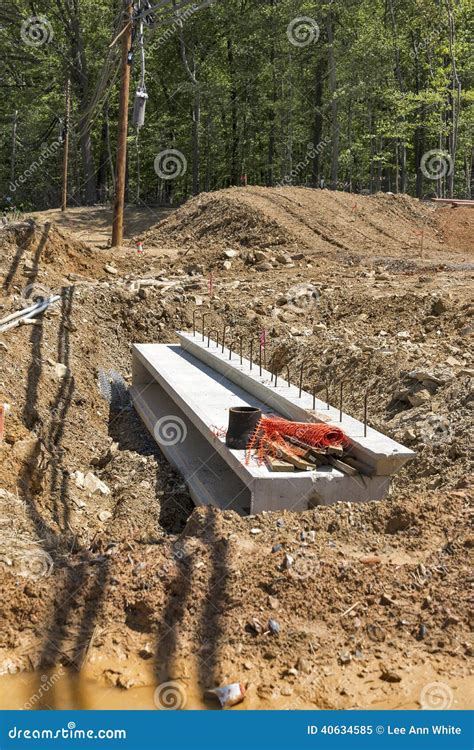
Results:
<point x="117" y="228"/>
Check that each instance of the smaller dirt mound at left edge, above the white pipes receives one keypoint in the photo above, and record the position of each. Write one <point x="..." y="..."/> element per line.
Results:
<point x="39" y="255"/>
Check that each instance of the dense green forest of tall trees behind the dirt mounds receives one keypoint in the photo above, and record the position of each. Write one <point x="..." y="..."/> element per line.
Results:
<point x="359" y="95"/>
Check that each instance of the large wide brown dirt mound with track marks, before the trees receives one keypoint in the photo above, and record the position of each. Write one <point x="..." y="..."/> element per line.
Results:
<point x="305" y="219"/>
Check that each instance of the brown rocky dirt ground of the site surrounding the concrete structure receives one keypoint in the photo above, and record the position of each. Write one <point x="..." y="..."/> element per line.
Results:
<point x="127" y="586"/>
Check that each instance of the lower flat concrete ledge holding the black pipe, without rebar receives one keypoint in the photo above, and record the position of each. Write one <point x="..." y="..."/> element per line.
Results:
<point x="184" y="403"/>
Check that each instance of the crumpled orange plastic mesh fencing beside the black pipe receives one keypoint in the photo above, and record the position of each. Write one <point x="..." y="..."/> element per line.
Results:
<point x="272" y="431"/>
